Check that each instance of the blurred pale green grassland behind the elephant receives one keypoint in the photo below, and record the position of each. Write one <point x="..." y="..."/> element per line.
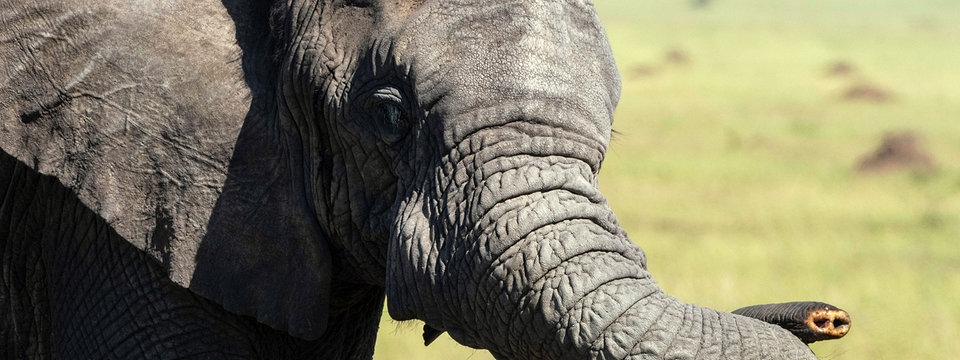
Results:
<point x="741" y="124"/>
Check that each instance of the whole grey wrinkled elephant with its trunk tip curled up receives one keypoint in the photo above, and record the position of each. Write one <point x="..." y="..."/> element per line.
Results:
<point x="255" y="179"/>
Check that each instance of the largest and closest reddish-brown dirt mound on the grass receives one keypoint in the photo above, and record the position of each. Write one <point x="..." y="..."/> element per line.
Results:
<point x="898" y="151"/>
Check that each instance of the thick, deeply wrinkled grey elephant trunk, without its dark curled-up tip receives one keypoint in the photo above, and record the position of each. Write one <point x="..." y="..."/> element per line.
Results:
<point x="515" y="250"/>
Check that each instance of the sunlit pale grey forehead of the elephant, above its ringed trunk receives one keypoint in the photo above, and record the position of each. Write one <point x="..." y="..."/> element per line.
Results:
<point x="513" y="55"/>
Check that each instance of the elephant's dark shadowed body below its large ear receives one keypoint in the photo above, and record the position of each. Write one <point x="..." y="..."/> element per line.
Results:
<point x="74" y="289"/>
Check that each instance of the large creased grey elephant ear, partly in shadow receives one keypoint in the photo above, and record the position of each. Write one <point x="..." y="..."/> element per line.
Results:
<point x="160" y="119"/>
